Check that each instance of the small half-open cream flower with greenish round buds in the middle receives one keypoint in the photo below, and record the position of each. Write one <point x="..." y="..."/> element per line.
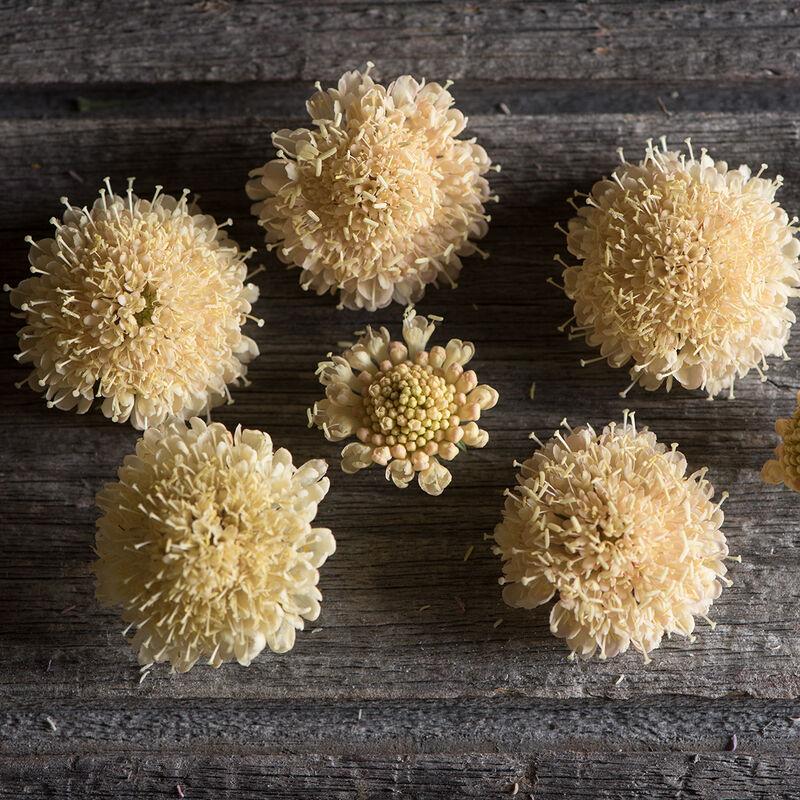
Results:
<point x="408" y="406"/>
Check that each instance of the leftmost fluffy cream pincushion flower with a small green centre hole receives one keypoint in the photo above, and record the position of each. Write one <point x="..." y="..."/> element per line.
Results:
<point x="139" y="302"/>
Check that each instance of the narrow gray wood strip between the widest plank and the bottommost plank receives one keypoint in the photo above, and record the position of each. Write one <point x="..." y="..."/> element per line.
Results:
<point x="394" y="728"/>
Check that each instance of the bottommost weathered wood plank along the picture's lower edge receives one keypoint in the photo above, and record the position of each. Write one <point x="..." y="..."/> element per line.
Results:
<point x="542" y="776"/>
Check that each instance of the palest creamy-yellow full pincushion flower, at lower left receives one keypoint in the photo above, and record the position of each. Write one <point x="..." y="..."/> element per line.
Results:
<point x="206" y="542"/>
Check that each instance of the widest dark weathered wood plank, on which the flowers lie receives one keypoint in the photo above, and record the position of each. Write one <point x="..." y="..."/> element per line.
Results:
<point x="398" y="551"/>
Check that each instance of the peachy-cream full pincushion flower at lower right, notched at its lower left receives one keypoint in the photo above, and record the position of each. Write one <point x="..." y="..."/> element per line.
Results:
<point x="611" y="522"/>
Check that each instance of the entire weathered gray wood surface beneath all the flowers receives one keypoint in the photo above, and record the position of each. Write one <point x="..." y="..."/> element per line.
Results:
<point x="385" y="699"/>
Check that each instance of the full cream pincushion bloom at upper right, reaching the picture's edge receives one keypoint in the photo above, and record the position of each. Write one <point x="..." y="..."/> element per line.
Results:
<point x="685" y="267"/>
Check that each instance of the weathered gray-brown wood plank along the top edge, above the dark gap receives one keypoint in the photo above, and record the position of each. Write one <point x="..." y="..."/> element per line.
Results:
<point x="251" y="40"/>
